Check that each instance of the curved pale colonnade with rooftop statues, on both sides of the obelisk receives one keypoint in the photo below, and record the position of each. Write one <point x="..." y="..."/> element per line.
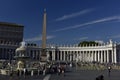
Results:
<point x="102" y="53"/>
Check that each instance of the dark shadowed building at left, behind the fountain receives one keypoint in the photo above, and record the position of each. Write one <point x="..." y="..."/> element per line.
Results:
<point x="10" y="36"/>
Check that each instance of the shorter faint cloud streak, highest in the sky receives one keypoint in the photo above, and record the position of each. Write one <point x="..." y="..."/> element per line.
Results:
<point x="74" y="15"/>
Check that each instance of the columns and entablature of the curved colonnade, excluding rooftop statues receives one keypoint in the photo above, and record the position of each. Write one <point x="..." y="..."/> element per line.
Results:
<point x="104" y="55"/>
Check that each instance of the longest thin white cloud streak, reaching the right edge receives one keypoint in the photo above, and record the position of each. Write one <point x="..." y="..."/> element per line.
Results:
<point x="107" y="19"/>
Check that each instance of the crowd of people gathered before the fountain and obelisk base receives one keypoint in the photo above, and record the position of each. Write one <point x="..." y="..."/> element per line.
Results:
<point x="41" y="70"/>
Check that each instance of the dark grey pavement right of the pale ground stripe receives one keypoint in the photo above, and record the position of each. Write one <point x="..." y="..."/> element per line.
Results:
<point x="87" y="75"/>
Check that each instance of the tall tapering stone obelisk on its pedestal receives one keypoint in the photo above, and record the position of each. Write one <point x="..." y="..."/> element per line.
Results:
<point x="43" y="51"/>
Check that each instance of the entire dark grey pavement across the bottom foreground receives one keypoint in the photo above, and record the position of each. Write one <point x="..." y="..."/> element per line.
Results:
<point x="71" y="75"/>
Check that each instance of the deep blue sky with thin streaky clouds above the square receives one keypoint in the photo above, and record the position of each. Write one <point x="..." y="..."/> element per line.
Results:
<point x="68" y="21"/>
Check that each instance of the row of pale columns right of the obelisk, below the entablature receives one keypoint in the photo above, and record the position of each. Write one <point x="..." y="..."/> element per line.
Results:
<point x="102" y="56"/>
